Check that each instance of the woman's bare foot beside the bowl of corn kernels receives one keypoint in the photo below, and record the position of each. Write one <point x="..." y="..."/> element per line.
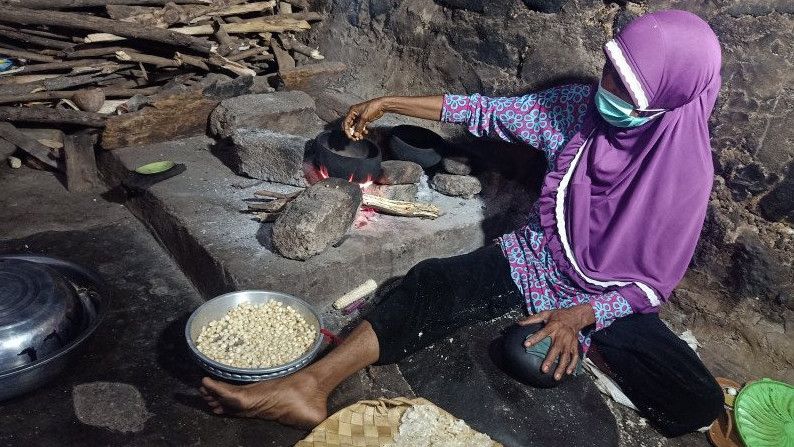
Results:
<point x="295" y="400"/>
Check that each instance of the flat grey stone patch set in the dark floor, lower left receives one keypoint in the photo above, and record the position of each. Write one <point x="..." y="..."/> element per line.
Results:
<point x="117" y="406"/>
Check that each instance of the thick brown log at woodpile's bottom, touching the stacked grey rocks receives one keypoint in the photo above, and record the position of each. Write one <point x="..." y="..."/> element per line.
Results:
<point x="175" y="116"/>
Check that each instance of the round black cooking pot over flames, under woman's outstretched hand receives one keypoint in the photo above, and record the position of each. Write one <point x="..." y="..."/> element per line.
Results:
<point x="358" y="161"/>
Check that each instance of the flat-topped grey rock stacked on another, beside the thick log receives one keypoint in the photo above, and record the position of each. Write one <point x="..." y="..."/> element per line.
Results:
<point x="287" y="112"/>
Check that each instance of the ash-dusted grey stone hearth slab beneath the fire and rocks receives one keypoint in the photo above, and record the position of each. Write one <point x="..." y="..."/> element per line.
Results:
<point x="196" y="216"/>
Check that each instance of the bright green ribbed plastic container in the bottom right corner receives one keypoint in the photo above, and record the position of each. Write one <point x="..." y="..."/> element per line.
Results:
<point x="764" y="413"/>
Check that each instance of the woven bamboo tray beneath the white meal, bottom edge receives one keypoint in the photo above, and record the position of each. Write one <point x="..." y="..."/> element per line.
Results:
<point x="367" y="423"/>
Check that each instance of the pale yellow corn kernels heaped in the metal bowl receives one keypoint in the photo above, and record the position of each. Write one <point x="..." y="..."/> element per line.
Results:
<point x="257" y="336"/>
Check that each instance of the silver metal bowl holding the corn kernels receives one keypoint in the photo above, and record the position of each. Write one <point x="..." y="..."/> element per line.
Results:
<point x="217" y="307"/>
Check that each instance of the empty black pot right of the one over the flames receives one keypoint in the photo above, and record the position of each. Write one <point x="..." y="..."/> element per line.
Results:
<point x="417" y="144"/>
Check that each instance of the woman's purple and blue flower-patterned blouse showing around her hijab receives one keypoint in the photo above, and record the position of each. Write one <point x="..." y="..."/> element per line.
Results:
<point x="545" y="120"/>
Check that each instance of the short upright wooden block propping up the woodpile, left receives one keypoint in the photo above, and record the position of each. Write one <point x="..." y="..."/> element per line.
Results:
<point x="80" y="161"/>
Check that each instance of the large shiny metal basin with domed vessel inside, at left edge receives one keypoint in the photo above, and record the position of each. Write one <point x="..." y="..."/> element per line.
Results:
<point x="75" y="296"/>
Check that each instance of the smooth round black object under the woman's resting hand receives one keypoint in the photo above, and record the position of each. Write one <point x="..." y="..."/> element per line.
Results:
<point x="522" y="365"/>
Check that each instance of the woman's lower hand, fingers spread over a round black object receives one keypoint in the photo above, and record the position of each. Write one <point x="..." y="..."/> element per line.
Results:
<point x="562" y="325"/>
